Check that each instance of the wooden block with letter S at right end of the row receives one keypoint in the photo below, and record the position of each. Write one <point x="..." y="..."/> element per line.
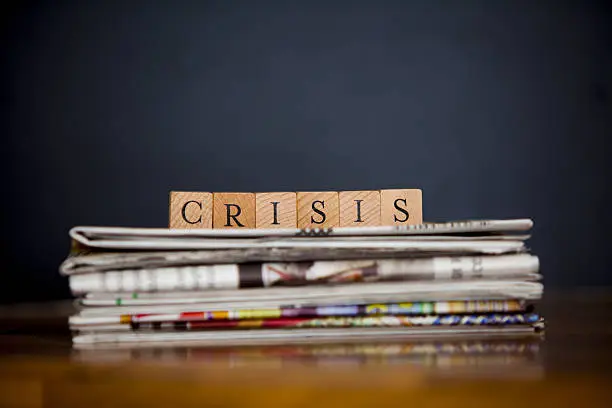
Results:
<point x="401" y="207"/>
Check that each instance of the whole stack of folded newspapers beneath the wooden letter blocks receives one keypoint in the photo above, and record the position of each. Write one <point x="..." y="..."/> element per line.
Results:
<point x="158" y="287"/>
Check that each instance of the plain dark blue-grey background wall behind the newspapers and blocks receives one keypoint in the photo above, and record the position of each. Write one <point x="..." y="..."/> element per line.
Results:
<point x="495" y="109"/>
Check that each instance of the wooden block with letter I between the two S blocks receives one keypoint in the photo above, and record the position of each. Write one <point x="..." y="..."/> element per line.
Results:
<point x="359" y="208"/>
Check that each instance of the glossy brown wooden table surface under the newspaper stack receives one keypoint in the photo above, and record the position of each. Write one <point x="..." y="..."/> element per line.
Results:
<point x="571" y="366"/>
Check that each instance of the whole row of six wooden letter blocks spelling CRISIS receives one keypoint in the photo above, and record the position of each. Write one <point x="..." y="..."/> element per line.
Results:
<point x="314" y="209"/>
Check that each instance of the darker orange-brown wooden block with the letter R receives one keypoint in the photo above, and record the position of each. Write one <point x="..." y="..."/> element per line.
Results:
<point x="233" y="210"/>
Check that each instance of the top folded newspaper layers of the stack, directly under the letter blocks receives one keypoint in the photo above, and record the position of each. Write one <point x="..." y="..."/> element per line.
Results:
<point x="110" y="248"/>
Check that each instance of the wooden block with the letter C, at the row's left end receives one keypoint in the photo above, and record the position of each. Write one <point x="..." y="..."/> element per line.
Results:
<point x="190" y="210"/>
